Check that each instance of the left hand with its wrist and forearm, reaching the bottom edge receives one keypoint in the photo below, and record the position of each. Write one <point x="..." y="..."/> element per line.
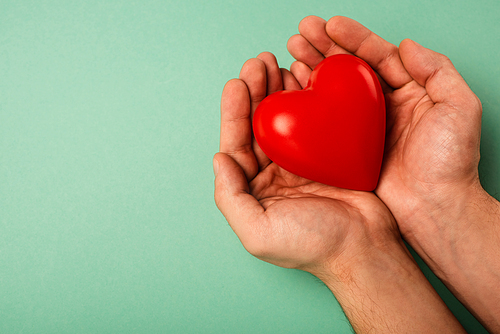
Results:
<point x="348" y="239"/>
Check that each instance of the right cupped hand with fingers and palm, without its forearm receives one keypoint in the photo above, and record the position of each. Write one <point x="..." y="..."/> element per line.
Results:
<point x="433" y="118"/>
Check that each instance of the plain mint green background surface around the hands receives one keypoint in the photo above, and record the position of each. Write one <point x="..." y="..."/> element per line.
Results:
<point x="109" y="118"/>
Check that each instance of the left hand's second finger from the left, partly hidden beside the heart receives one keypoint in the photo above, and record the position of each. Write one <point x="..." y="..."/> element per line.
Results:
<point x="254" y="74"/>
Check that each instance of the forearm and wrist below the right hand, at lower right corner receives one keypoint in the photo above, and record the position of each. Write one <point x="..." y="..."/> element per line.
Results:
<point x="460" y="245"/>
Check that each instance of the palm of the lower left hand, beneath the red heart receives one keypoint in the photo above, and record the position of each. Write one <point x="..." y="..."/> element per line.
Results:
<point x="309" y="222"/>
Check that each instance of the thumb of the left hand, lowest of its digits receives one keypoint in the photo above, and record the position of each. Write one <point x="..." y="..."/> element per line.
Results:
<point x="242" y="211"/>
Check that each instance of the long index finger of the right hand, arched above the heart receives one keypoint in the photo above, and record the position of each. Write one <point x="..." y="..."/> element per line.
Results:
<point x="381" y="55"/>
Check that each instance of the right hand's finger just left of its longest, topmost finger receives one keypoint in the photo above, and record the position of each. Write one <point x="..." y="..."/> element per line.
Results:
<point x="313" y="29"/>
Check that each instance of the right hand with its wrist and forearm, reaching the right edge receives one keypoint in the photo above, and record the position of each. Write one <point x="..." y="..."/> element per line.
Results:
<point x="429" y="179"/>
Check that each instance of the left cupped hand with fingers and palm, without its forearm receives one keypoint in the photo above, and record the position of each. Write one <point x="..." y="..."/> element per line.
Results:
<point x="279" y="217"/>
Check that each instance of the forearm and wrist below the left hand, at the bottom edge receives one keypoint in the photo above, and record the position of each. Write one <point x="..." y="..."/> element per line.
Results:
<point x="383" y="290"/>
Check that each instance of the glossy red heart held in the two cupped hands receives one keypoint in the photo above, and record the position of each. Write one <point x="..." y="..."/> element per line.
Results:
<point x="333" y="130"/>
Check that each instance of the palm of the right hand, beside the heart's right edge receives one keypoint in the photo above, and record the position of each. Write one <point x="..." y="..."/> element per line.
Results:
<point x="425" y="152"/>
